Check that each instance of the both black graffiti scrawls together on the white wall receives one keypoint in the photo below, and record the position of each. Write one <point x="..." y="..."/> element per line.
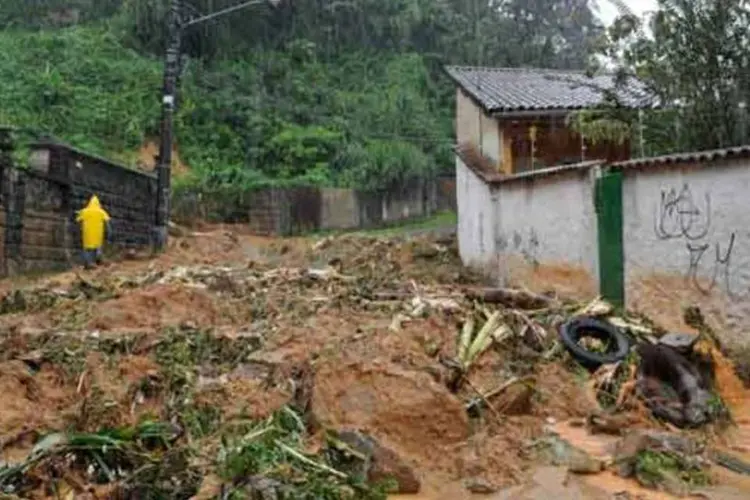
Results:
<point x="682" y="216"/>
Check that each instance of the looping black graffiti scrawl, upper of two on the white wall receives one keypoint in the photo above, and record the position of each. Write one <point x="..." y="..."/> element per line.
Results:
<point x="680" y="217"/>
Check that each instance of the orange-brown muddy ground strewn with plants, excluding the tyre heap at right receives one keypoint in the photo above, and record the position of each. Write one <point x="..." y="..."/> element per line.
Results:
<point x="232" y="360"/>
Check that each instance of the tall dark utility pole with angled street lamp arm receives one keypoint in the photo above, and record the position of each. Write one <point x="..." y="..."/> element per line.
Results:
<point x="169" y="95"/>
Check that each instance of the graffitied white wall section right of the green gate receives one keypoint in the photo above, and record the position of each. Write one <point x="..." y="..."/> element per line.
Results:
<point x="687" y="241"/>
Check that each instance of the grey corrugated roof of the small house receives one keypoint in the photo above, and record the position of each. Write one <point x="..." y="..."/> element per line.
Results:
<point x="526" y="89"/>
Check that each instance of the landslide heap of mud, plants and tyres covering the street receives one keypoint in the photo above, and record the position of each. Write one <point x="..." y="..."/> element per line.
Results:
<point x="351" y="367"/>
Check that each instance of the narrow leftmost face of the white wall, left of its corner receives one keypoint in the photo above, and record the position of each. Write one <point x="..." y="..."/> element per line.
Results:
<point x="476" y="218"/>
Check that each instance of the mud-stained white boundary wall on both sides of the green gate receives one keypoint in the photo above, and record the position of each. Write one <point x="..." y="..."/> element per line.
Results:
<point x="686" y="233"/>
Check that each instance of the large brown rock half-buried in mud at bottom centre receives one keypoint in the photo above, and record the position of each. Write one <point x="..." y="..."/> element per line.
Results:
<point x="372" y="460"/>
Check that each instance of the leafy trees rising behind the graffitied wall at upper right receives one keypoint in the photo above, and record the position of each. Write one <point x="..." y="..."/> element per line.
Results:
<point x="692" y="54"/>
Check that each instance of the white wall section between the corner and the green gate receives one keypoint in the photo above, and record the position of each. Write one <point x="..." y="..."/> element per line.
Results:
<point x="548" y="220"/>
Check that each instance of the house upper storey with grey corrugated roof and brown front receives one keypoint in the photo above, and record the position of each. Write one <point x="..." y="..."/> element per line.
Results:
<point x="516" y="118"/>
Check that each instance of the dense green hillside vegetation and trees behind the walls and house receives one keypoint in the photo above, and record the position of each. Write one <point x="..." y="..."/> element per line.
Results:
<point x="350" y="92"/>
